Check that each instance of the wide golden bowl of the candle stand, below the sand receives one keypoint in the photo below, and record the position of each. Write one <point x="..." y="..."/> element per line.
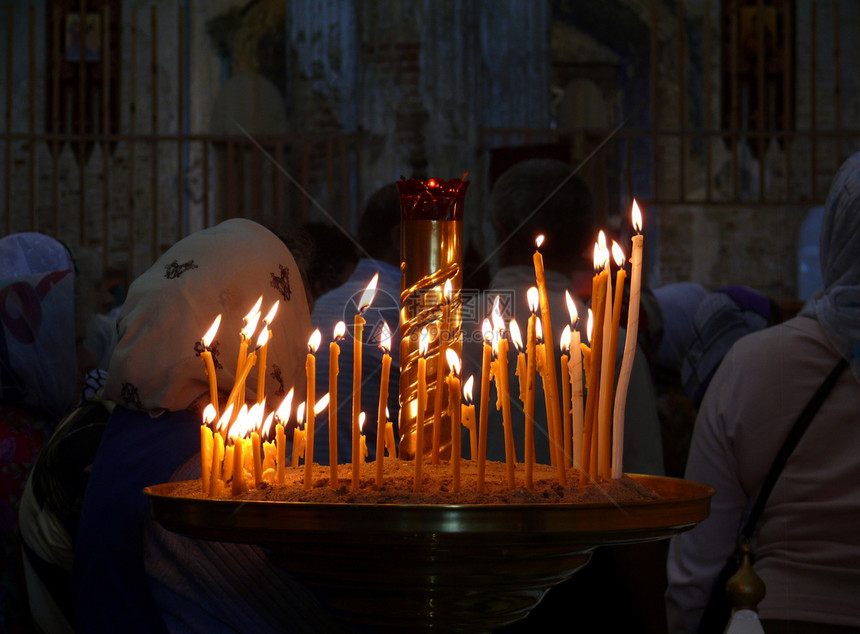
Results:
<point x="440" y="567"/>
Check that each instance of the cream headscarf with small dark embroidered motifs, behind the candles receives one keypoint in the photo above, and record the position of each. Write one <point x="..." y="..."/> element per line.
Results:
<point x="223" y="270"/>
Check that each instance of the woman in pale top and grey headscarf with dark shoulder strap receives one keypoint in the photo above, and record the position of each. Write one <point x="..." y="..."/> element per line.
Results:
<point x="807" y="546"/>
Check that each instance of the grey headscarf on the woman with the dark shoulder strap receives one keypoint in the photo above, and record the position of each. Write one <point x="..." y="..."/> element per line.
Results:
<point x="837" y="304"/>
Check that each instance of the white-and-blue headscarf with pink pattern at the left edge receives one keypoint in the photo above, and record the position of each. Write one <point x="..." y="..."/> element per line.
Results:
<point x="38" y="362"/>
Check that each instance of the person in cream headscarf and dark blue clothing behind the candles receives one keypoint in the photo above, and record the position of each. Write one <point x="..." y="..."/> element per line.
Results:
<point x="129" y="574"/>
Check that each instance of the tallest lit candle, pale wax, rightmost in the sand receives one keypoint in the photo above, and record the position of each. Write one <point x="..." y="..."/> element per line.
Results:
<point x="629" y="343"/>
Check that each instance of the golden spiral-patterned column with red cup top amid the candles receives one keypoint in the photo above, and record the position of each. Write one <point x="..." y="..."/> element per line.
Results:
<point x="431" y="253"/>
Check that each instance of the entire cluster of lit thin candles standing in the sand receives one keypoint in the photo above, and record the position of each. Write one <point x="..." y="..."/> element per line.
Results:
<point x="585" y="425"/>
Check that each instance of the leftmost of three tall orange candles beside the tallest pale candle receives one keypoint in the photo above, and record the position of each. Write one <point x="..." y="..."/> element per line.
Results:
<point x="598" y="301"/>
